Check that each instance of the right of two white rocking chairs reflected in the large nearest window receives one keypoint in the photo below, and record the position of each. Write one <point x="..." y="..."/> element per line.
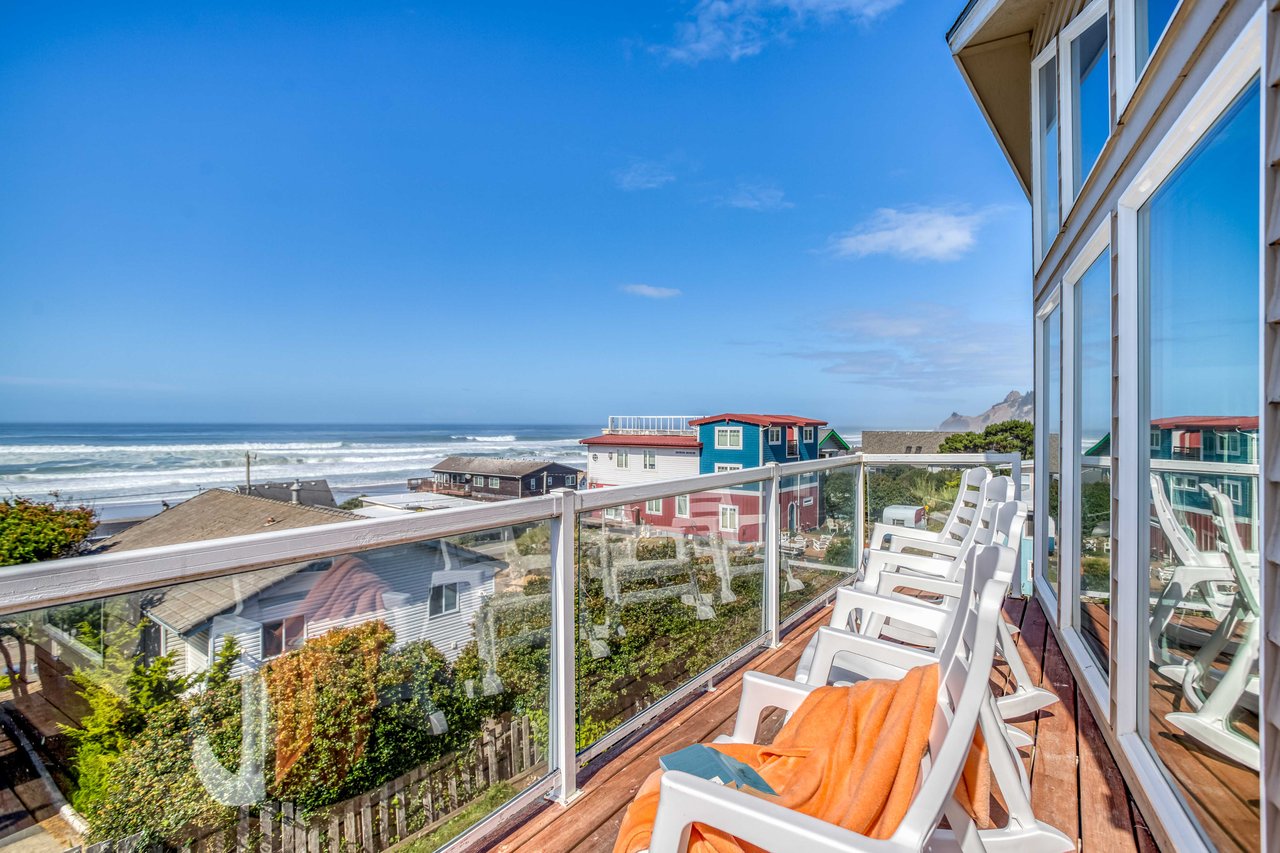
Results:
<point x="1212" y="722"/>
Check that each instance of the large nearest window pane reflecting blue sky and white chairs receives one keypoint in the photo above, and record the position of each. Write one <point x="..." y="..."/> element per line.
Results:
<point x="1199" y="267"/>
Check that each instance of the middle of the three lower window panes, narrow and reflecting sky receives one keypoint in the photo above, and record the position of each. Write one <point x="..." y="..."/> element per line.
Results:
<point x="1094" y="385"/>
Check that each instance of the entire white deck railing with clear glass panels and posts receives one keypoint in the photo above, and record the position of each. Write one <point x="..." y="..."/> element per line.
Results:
<point x="570" y="622"/>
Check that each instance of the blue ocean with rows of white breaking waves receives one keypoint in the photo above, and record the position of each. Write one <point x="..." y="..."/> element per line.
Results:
<point x="126" y="471"/>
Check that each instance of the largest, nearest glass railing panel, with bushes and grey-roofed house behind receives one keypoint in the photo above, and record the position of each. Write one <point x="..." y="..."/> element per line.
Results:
<point x="339" y="704"/>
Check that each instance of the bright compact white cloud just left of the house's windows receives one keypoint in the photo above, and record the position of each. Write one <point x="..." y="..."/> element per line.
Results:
<point x="922" y="234"/>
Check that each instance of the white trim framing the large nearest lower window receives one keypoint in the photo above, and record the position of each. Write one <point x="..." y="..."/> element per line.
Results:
<point x="1240" y="65"/>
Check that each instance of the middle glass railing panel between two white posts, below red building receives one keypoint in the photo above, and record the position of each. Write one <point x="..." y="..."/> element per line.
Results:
<point x="666" y="590"/>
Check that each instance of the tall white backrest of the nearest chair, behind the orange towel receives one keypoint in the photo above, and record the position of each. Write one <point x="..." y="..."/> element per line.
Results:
<point x="963" y="688"/>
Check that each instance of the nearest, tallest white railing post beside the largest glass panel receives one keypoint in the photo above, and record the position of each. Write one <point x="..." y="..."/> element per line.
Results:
<point x="564" y="711"/>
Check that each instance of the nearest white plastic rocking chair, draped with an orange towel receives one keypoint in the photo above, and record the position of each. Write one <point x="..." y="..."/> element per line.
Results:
<point x="963" y="703"/>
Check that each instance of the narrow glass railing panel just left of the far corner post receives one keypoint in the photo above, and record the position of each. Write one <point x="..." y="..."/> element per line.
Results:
<point x="817" y="516"/>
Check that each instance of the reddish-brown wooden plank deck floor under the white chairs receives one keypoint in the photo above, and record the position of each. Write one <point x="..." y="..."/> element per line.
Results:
<point x="1069" y="764"/>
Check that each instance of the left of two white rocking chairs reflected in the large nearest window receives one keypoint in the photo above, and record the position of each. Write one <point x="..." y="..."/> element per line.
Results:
<point x="1196" y="569"/>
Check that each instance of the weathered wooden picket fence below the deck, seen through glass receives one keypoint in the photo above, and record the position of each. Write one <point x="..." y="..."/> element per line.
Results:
<point x="374" y="822"/>
